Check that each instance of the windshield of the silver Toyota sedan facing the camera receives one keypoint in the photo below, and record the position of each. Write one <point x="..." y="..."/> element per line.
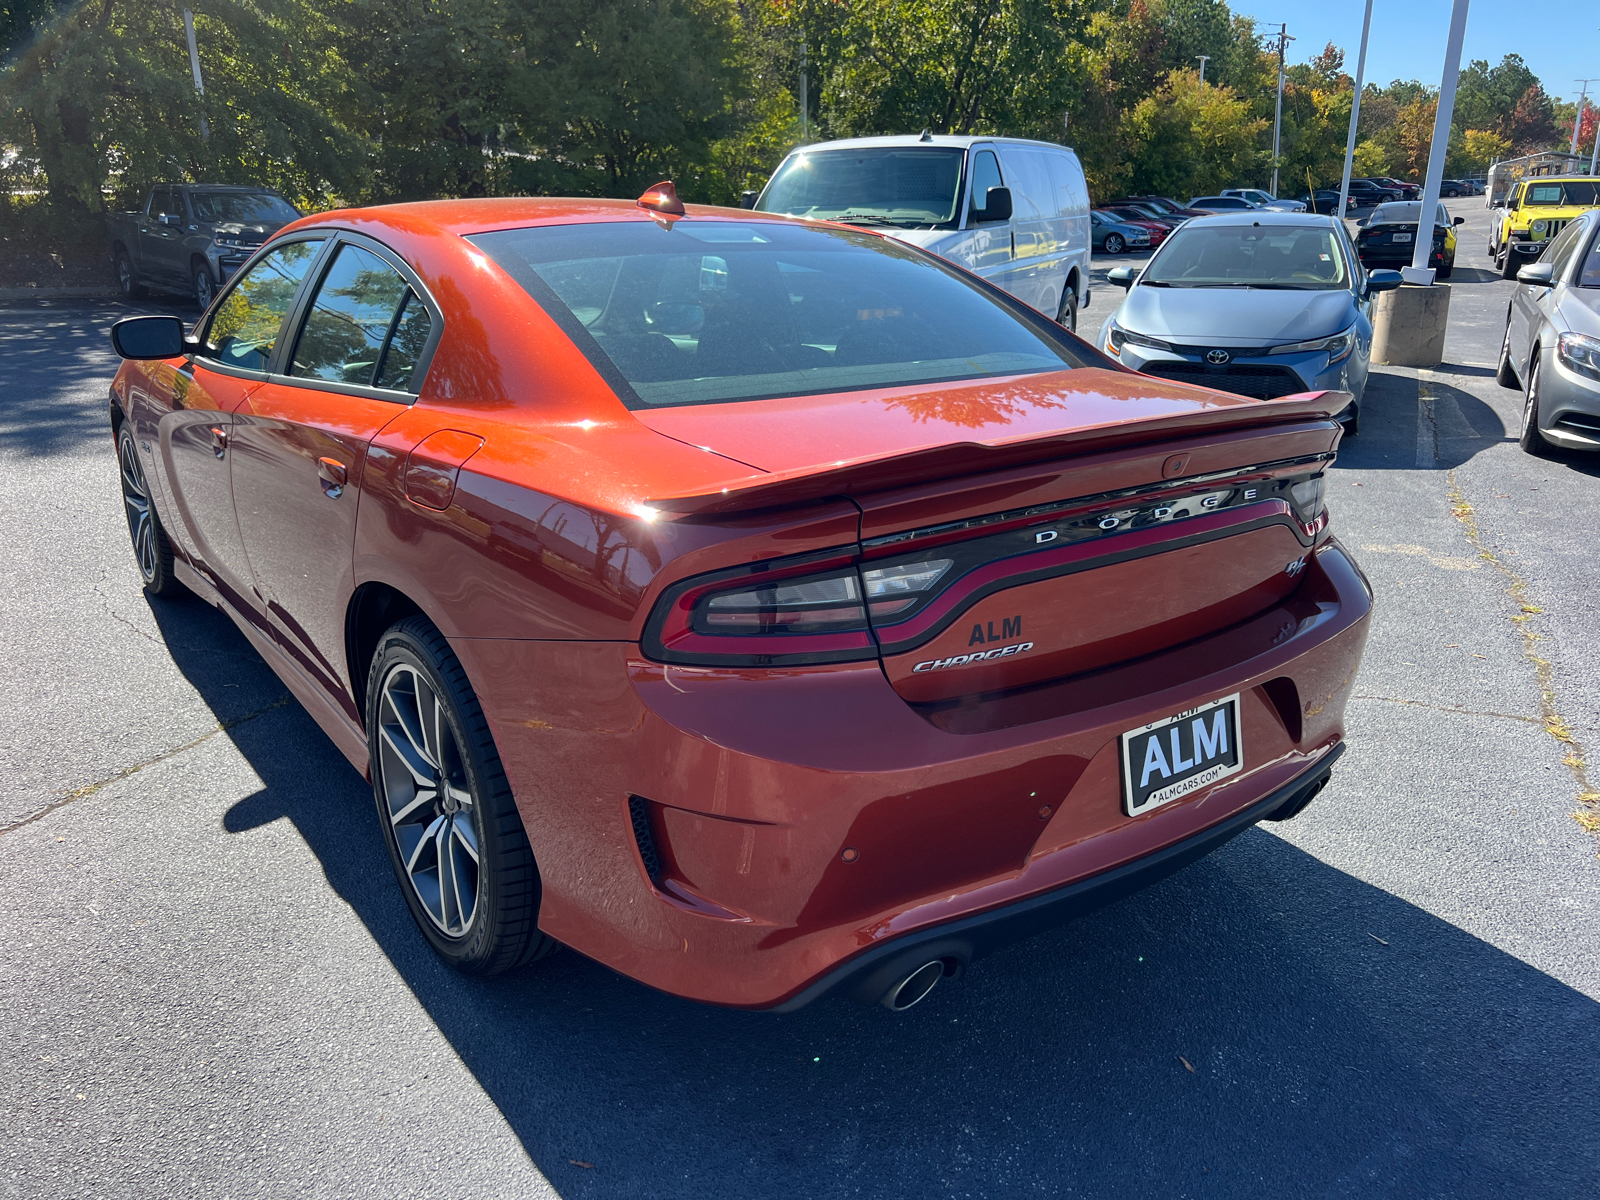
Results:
<point x="1249" y="257"/>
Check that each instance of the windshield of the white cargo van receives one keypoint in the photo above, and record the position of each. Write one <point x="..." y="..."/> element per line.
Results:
<point x="902" y="186"/>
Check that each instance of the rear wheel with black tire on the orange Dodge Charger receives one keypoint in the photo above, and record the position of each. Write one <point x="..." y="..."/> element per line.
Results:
<point x="470" y="806"/>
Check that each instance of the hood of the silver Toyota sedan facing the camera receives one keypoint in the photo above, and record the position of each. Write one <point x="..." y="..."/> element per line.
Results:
<point x="1236" y="316"/>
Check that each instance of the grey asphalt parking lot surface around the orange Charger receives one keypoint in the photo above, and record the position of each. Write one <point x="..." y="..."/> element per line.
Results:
<point x="214" y="988"/>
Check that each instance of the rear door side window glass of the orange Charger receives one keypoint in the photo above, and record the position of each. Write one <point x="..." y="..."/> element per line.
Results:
<point x="361" y="306"/>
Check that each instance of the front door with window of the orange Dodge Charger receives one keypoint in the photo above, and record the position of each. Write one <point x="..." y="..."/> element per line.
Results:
<point x="196" y="428"/>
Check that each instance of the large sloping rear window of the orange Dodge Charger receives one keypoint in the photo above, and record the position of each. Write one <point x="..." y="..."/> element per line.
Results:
<point x="716" y="311"/>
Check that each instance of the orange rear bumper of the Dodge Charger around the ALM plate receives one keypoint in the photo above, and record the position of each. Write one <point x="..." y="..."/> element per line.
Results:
<point x="807" y="823"/>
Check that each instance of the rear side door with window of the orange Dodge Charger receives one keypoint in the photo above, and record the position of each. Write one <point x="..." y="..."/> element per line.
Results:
<point x="302" y="439"/>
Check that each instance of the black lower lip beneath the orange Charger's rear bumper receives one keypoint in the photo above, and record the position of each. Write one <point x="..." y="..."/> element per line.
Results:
<point x="961" y="942"/>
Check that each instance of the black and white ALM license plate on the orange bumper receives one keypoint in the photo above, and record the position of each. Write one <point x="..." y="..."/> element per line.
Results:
<point x="1177" y="756"/>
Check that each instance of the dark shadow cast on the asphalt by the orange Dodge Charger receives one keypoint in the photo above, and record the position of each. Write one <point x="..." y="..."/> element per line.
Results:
<point x="1258" y="1025"/>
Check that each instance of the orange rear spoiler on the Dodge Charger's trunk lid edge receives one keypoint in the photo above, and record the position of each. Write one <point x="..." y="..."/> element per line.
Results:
<point x="857" y="478"/>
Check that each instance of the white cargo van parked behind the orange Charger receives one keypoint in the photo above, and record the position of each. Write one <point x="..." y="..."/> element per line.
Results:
<point x="1015" y="212"/>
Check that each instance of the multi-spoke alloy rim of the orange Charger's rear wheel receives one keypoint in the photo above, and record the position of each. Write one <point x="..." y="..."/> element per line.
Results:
<point x="428" y="799"/>
